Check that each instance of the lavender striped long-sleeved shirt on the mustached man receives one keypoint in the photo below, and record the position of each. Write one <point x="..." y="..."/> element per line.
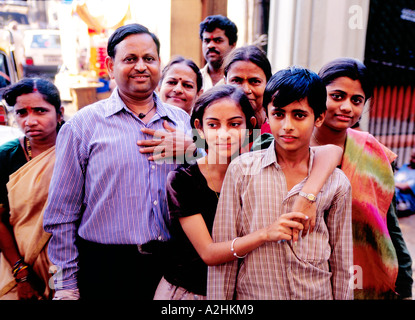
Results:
<point x="103" y="183"/>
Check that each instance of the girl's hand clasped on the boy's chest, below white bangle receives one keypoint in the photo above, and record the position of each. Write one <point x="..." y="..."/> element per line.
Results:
<point x="284" y="227"/>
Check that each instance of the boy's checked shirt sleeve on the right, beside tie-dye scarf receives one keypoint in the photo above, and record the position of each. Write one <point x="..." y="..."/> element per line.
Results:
<point x="339" y="223"/>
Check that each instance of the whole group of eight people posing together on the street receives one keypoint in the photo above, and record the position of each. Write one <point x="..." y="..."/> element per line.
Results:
<point x="228" y="182"/>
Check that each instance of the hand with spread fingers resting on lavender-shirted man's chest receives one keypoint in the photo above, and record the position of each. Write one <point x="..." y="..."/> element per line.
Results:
<point x="169" y="143"/>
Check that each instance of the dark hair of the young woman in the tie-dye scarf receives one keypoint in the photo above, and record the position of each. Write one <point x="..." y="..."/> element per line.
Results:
<point x="350" y="68"/>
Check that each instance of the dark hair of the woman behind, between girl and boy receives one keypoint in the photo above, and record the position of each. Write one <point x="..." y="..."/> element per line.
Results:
<point x="249" y="53"/>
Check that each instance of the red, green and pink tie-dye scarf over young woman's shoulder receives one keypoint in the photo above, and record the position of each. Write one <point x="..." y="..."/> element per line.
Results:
<point x="366" y="163"/>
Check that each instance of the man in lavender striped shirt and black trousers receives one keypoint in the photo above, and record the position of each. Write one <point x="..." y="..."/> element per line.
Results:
<point x="107" y="211"/>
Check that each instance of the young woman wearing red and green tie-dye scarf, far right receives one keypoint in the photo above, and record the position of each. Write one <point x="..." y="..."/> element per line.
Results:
<point x="382" y="264"/>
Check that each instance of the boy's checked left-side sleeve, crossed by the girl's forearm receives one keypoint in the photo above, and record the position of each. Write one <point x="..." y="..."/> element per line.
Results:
<point x="222" y="278"/>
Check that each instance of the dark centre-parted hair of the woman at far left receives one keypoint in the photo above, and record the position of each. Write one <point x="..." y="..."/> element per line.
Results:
<point x="45" y="87"/>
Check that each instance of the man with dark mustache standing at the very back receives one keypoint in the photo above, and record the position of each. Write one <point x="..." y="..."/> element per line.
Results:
<point x="219" y="36"/>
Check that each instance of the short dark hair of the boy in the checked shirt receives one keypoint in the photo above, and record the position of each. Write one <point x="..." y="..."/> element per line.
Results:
<point x="295" y="84"/>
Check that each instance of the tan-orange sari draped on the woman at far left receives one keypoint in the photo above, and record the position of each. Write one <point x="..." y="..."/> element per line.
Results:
<point x="28" y="191"/>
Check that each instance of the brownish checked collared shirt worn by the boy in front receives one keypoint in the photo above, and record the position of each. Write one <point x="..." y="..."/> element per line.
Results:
<point x="254" y="194"/>
